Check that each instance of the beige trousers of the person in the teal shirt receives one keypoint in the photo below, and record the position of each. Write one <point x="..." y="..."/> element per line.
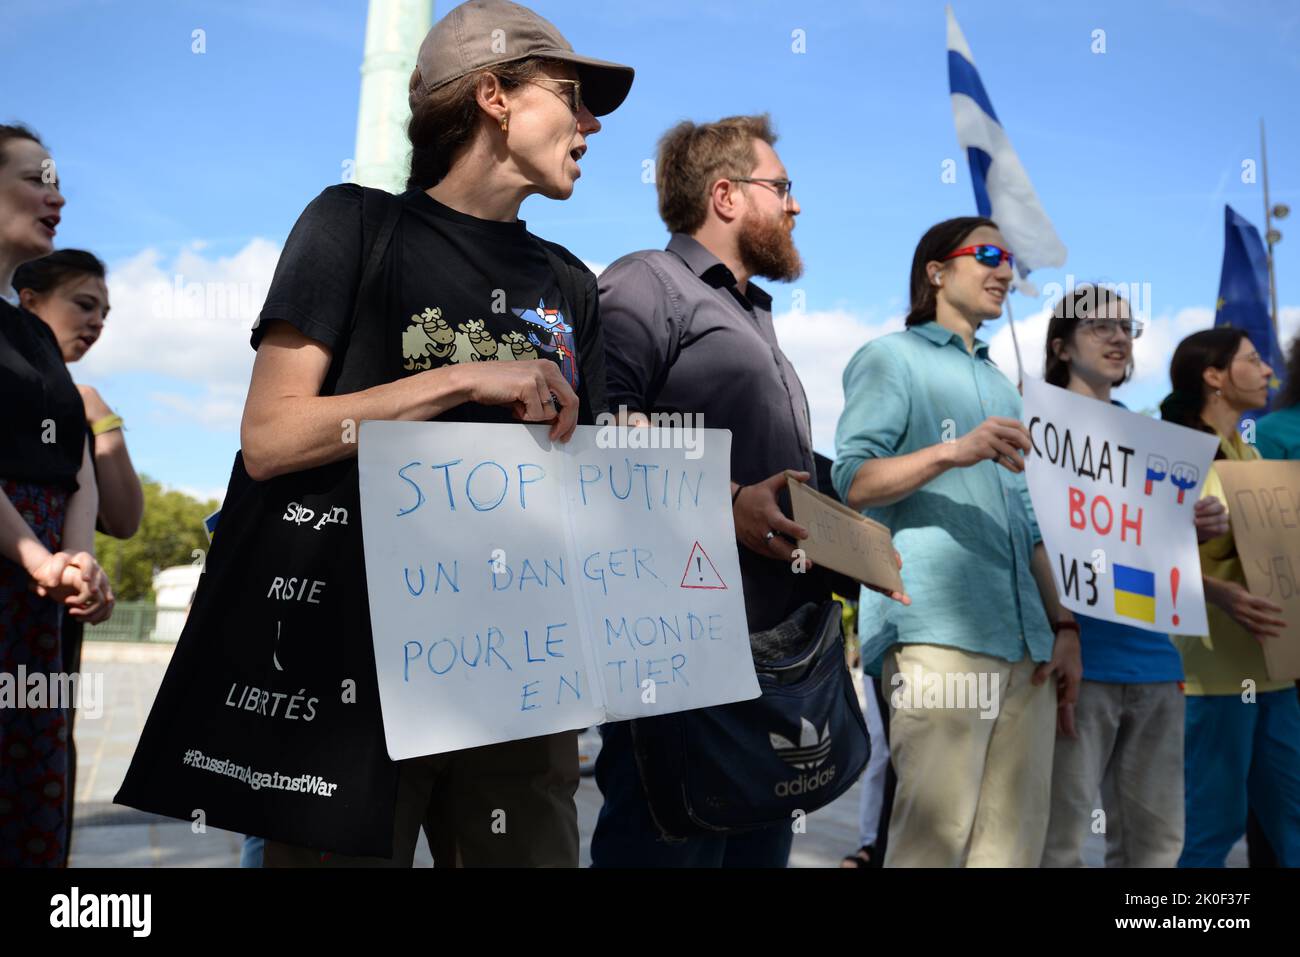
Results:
<point x="974" y="769"/>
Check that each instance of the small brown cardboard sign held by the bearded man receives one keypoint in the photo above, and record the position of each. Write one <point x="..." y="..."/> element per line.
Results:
<point x="844" y="540"/>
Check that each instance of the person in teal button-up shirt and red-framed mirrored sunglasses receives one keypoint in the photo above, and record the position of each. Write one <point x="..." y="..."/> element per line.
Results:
<point x="931" y="444"/>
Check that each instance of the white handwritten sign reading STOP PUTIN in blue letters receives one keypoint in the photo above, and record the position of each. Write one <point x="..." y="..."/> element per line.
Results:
<point x="521" y="588"/>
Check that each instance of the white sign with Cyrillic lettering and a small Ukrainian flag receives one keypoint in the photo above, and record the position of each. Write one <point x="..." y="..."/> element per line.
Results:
<point x="1113" y="493"/>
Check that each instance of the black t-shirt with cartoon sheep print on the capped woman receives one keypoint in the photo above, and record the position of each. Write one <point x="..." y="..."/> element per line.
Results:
<point x="457" y="289"/>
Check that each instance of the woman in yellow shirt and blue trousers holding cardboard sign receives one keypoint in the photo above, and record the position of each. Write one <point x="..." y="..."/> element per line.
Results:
<point x="1243" y="730"/>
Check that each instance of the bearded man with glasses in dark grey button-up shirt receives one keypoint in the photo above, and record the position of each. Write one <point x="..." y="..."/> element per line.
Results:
<point x="690" y="331"/>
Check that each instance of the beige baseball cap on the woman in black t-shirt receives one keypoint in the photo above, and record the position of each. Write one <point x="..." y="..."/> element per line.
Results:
<point x="487" y="33"/>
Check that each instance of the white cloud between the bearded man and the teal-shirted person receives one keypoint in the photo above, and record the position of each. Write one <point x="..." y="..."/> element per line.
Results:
<point x="821" y="345"/>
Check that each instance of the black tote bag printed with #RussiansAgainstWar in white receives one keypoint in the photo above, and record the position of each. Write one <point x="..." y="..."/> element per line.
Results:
<point x="268" y="720"/>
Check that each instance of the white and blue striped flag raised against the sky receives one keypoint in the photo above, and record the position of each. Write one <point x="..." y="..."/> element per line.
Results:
<point x="1003" y="189"/>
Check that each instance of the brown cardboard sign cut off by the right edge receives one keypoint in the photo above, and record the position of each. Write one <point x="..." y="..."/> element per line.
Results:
<point x="1264" y="505"/>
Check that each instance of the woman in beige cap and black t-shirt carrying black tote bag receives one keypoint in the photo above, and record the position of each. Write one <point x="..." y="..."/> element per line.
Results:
<point x="502" y="109"/>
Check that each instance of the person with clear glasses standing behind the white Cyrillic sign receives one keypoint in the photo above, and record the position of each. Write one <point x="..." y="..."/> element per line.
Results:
<point x="1125" y="734"/>
